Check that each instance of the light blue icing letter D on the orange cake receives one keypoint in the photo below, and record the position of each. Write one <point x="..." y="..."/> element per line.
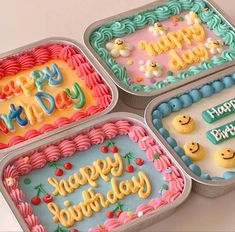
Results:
<point x="39" y="97"/>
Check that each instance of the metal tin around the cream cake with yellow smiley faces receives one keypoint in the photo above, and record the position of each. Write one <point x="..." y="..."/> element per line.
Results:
<point x="203" y="187"/>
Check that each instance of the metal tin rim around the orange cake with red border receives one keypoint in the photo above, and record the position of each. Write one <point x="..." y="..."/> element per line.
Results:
<point x="82" y="50"/>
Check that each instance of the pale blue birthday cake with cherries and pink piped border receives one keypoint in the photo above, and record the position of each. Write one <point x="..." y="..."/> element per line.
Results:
<point x="95" y="181"/>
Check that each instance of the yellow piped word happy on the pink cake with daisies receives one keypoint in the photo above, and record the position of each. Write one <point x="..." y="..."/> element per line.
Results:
<point x="174" y="39"/>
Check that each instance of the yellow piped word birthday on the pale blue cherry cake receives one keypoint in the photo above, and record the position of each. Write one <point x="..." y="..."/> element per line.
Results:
<point x="94" y="202"/>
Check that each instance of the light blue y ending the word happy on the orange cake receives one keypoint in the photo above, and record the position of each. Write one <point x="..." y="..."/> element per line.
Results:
<point x="54" y="75"/>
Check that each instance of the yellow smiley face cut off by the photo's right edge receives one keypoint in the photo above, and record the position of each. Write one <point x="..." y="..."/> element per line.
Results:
<point x="225" y="157"/>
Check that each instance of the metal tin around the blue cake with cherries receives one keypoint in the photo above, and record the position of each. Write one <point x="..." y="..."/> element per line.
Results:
<point x="139" y="223"/>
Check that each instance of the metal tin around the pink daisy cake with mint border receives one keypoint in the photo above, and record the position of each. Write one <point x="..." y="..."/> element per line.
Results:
<point x="139" y="99"/>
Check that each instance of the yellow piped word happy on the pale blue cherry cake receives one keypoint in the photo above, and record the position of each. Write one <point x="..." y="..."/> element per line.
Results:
<point x="89" y="174"/>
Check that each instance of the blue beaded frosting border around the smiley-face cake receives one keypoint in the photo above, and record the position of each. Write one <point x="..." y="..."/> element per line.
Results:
<point x="186" y="100"/>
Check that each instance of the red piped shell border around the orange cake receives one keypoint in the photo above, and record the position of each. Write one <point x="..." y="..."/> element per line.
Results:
<point x="76" y="61"/>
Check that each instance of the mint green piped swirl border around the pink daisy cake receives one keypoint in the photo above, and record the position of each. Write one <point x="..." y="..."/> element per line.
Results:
<point x="121" y="27"/>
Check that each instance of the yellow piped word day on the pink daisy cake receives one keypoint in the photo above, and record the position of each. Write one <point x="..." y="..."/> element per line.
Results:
<point x="190" y="56"/>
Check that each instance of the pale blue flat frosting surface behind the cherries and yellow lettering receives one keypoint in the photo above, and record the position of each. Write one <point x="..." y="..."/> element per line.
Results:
<point x="79" y="160"/>
